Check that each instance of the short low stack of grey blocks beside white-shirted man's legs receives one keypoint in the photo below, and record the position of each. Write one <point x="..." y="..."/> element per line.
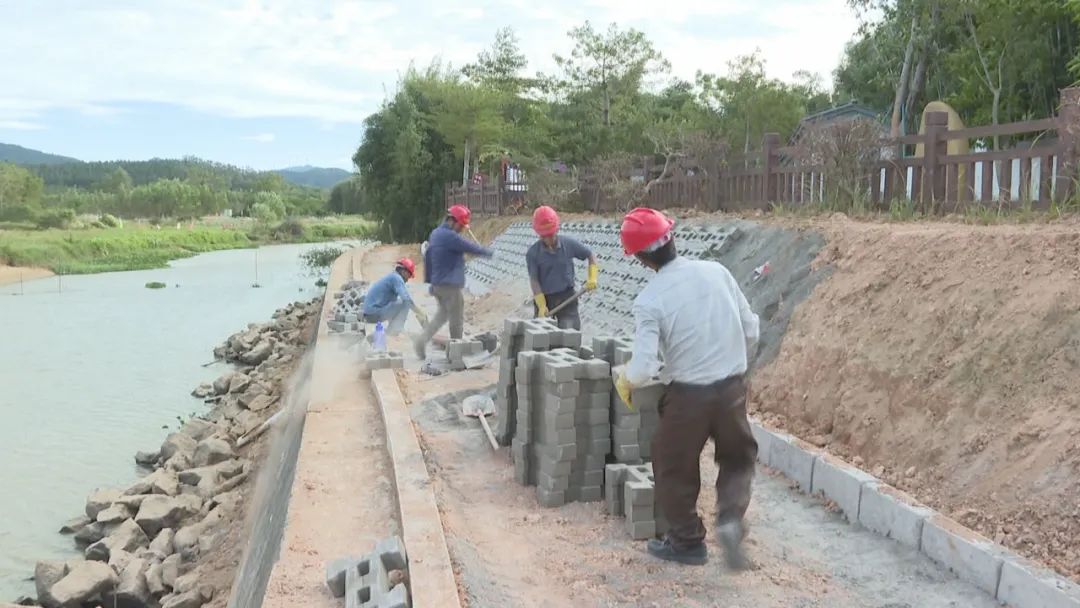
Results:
<point x="630" y="493"/>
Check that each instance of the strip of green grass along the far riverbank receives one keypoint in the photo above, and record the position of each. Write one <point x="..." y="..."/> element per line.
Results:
<point x="140" y="247"/>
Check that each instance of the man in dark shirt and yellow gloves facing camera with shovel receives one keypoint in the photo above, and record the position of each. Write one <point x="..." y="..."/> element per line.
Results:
<point x="550" y="262"/>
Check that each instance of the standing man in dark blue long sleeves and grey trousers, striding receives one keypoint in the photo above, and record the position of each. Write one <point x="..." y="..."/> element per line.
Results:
<point x="444" y="269"/>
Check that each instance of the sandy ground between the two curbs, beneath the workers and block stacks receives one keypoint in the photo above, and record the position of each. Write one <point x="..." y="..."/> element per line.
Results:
<point x="509" y="552"/>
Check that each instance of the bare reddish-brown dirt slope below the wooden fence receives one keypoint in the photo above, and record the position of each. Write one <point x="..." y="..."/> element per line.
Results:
<point x="944" y="358"/>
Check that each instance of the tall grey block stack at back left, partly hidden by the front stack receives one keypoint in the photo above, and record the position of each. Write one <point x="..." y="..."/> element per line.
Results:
<point x="522" y="335"/>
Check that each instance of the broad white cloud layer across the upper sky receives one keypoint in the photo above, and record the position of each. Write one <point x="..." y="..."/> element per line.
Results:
<point x="333" y="60"/>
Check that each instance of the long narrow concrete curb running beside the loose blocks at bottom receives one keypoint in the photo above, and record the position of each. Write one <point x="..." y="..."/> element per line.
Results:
<point x="431" y="574"/>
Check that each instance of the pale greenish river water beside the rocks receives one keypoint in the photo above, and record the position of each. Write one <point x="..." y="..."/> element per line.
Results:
<point x="96" y="368"/>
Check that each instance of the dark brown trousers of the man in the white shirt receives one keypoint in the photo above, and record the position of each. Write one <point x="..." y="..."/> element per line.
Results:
<point x="690" y="416"/>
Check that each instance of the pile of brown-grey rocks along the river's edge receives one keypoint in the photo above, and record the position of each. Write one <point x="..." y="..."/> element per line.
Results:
<point x="143" y="546"/>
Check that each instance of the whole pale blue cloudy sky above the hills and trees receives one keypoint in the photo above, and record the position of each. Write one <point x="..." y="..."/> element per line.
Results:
<point x="273" y="84"/>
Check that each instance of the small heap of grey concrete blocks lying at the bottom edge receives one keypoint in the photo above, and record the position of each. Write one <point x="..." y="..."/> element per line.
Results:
<point x="366" y="583"/>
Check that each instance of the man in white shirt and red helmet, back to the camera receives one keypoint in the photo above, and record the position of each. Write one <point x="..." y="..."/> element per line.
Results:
<point x="696" y="318"/>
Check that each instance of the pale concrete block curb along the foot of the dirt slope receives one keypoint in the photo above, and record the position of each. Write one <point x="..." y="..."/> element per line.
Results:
<point x="893" y="514"/>
